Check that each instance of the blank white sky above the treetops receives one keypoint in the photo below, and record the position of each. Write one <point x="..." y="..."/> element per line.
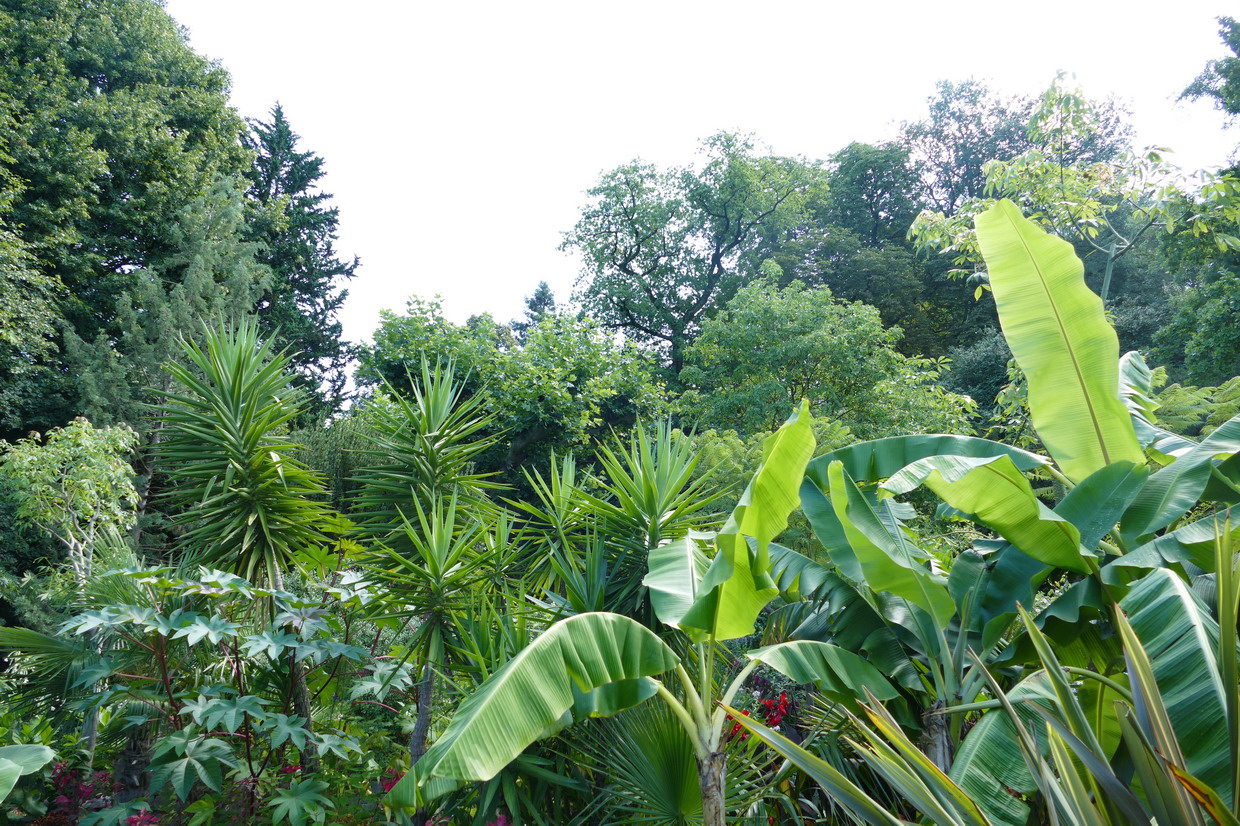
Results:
<point x="461" y="137"/>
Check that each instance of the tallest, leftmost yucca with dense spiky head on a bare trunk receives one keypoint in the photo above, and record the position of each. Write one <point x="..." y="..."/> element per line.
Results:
<point x="246" y="505"/>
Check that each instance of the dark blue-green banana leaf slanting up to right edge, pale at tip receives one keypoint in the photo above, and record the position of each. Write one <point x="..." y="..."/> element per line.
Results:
<point x="1176" y="489"/>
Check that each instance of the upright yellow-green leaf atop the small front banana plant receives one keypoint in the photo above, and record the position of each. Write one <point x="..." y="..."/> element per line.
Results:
<point x="738" y="586"/>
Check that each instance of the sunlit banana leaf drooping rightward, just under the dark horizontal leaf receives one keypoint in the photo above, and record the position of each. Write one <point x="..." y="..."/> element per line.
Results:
<point x="996" y="493"/>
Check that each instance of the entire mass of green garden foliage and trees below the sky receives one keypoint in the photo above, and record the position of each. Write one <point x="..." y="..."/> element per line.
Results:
<point x="828" y="497"/>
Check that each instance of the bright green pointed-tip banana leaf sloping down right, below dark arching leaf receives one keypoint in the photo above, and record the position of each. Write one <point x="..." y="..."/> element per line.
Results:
<point x="883" y="561"/>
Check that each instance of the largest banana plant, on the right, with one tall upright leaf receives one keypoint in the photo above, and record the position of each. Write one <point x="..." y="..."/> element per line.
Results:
<point x="1130" y="498"/>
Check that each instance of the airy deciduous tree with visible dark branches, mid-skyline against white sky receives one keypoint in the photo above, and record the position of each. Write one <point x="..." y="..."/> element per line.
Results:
<point x="663" y="249"/>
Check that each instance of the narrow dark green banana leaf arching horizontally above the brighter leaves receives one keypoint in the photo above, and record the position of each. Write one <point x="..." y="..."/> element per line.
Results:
<point x="870" y="462"/>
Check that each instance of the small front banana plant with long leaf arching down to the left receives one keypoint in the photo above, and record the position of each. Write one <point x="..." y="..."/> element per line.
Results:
<point x="707" y="590"/>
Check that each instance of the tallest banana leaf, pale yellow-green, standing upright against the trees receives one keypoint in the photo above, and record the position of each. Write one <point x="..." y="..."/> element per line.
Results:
<point x="1060" y="335"/>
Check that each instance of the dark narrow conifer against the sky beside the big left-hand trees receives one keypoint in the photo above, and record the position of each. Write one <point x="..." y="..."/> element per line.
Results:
<point x="297" y="229"/>
